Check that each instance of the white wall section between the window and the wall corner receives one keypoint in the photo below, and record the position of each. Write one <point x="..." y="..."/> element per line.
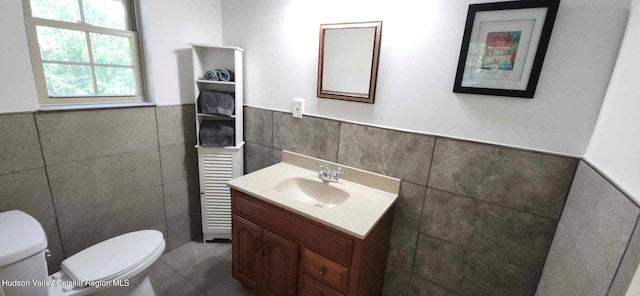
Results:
<point x="168" y="29"/>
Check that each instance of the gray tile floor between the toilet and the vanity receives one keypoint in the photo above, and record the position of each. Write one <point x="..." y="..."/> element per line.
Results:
<point x="196" y="269"/>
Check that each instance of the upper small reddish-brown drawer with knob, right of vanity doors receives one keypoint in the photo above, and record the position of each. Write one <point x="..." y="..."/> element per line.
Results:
<point x="324" y="270"/>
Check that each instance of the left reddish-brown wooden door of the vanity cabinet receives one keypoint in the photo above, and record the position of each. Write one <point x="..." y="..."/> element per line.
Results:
<point x="246" y="250"/>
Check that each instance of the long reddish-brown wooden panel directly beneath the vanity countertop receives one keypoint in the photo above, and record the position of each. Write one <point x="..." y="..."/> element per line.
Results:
<point x="331" y="244"/>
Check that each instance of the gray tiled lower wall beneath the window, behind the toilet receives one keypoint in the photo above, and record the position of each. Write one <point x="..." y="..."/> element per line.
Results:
<point x="93" y="174"/>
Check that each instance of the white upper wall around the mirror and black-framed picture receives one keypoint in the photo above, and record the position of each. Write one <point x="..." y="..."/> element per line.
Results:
<point x="418" y="59"/>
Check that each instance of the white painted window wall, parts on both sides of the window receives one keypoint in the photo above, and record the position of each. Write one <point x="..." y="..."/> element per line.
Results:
<point x="168" y="28"/>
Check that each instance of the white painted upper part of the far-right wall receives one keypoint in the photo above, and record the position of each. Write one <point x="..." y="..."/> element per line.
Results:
<point x="615" y="146"/>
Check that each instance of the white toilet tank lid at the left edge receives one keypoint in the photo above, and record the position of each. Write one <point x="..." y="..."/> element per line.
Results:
<point x="20" y="236"/>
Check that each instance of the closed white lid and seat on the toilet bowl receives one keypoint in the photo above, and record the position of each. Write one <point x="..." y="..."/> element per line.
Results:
<point x="115" y="257"/>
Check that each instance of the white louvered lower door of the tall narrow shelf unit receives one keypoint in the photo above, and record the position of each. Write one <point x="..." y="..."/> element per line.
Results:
<point x="217" y="166"/>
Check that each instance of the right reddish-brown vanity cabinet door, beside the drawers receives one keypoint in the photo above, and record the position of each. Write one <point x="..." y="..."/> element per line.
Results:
<point x="280" y="265"/>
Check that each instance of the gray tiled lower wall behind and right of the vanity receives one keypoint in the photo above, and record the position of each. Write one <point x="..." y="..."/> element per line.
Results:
<point x="471" y="219"/>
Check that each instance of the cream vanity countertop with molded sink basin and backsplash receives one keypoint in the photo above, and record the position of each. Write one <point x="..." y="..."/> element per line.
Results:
<point x="353" y="206"/>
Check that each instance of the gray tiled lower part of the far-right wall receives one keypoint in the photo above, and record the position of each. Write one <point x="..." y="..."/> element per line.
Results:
<point x="596" y="249"/>
